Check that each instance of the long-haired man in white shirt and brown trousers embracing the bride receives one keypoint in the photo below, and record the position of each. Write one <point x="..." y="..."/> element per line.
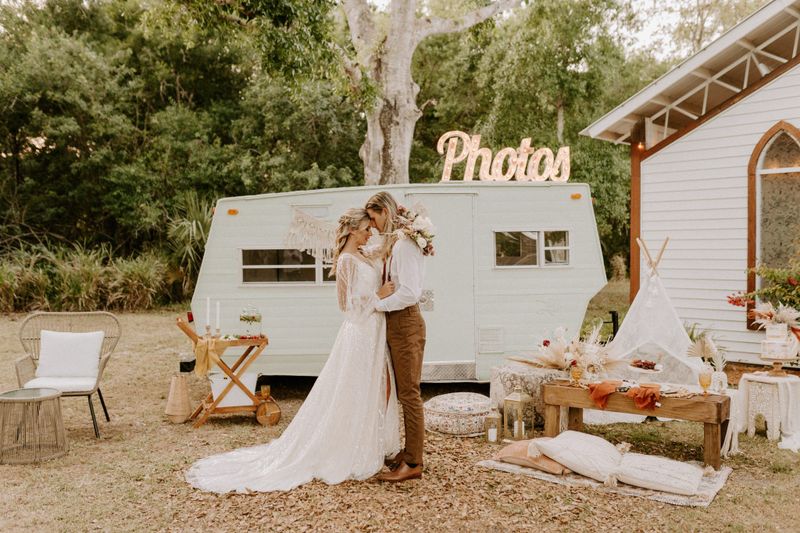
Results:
<point x="405" y="332"/>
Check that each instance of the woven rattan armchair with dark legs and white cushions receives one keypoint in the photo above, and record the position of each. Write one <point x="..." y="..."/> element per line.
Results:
<point x="30" y="336"/>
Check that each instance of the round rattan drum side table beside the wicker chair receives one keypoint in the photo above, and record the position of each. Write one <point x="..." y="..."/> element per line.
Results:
<point x="31" y="427"/>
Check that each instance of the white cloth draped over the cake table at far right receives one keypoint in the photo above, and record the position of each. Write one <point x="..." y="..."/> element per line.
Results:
<point x="789" y="405"/>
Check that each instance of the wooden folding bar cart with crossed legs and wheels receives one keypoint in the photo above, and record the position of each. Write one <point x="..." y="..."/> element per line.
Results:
<point x="260" y="402"/>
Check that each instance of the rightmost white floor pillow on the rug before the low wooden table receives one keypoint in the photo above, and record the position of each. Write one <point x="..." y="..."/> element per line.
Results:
<point x="659" y="473"/>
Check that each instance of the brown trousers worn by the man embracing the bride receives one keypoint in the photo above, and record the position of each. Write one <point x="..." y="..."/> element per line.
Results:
<point x="405" y="333"/>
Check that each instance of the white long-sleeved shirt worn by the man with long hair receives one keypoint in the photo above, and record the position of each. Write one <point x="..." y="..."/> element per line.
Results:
<point x="407" y="270"/>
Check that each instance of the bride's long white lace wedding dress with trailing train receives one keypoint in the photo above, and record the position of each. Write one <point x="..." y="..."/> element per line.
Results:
<point x="345" y="427"/>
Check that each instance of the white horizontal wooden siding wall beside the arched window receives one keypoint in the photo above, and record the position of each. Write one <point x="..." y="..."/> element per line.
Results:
<point x="695" y="192"/>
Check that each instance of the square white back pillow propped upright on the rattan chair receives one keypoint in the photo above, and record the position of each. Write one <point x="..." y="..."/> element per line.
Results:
<point x="64" y="354"/>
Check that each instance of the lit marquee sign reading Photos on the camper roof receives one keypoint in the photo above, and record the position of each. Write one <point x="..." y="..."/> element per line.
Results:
<point x="524" y="163"/>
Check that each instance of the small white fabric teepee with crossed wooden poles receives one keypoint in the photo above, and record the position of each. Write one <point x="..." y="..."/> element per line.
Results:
<point x="652" y="330"/>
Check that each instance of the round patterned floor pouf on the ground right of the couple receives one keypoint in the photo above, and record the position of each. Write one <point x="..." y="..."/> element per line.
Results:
<point x="458" y="413"/>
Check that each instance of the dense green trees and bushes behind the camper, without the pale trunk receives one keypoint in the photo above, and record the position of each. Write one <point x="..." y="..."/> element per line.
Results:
<point x="123" y="120"/>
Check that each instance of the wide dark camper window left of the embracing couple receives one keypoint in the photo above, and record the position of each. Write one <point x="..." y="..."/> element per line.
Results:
<point x="280" y="266"/>
